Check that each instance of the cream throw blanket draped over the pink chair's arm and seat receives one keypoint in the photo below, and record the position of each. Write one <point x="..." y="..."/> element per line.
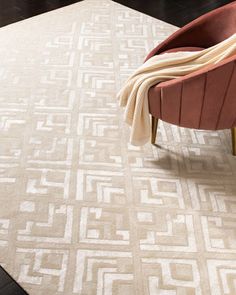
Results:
<point x="159" y="68"/>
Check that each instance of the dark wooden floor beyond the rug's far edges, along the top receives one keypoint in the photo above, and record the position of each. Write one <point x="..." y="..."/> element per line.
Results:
<point x="176" y="12"/>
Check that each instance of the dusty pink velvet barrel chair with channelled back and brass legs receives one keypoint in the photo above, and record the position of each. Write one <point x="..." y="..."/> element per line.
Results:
<point x="205" y="99"/>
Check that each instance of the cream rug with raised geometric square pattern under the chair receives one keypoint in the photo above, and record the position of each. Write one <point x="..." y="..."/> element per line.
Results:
<point x="82" y="211"/>
